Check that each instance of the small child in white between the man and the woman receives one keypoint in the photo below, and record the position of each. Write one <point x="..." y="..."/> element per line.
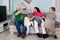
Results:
<point x="28" y="22"/>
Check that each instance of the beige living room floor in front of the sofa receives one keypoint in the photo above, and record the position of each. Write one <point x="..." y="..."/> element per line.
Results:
<point x="7" y="36"/>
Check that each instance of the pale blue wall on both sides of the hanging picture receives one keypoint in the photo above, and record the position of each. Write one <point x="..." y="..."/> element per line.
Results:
<point x="42" y="4"/>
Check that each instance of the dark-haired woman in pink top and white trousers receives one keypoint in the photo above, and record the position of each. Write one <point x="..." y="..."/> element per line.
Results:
<point x="39" y="16"/>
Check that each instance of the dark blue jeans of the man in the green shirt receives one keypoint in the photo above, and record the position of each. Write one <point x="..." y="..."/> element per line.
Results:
<point x="24" y="29"/>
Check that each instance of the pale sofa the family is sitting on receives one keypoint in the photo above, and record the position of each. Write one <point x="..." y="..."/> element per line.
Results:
<point x="12" y="27"/>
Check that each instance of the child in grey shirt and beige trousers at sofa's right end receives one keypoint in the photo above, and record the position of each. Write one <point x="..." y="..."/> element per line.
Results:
<point x="50" y="21"/>
